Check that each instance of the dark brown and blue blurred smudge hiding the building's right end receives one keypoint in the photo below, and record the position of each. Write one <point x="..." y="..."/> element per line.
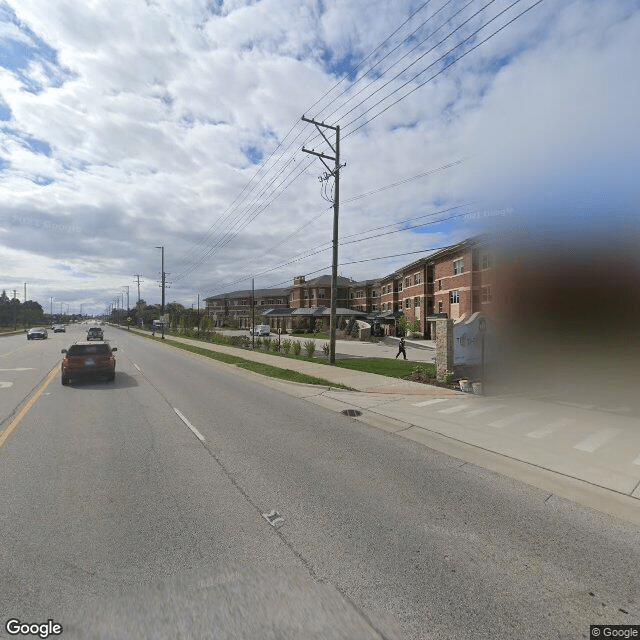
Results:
<point x="567" y="305"/>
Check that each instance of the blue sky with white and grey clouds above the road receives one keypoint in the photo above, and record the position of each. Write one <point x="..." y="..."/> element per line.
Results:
<point x="132" y="124"/>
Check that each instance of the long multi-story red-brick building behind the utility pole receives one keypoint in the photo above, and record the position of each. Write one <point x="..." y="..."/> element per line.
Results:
<point x="453" y="282"/>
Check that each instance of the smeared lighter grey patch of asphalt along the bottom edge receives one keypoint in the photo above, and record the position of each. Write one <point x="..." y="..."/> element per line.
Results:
<point x="266" y="604"/>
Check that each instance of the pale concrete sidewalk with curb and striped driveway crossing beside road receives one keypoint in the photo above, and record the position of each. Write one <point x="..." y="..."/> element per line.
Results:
<point x="582" y="453"/>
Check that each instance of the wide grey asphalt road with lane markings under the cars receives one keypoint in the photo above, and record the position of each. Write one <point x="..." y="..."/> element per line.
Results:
<point x="134" y="509"/>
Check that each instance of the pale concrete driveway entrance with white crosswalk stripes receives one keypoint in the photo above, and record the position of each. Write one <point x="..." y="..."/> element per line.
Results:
<point x="568" y="439"/>
